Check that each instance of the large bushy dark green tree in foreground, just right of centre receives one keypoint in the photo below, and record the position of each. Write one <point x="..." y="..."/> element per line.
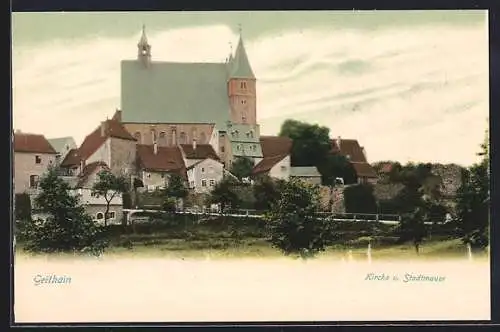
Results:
<point x="292" y="222"/>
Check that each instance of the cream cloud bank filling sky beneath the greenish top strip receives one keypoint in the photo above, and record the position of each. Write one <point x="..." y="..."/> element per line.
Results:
<point x="414" y="93"/>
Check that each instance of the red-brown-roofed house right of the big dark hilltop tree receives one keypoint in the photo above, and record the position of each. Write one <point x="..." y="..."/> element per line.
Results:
<point x="356" y="155"/>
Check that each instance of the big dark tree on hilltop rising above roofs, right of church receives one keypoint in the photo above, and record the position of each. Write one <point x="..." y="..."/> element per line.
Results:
<point x="312" y="147"/>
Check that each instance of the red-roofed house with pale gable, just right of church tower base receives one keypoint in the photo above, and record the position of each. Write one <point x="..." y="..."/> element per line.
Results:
<point x="276" y="153"/>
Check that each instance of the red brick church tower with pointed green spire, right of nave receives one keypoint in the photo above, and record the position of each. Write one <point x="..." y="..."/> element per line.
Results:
<point x="242" y="87"/>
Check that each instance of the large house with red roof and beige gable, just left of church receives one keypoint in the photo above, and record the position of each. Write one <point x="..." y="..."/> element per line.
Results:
<point x="109" y="143"/>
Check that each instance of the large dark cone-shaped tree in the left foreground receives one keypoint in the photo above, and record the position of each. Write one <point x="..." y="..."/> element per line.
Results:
<point x="67" y="227"/>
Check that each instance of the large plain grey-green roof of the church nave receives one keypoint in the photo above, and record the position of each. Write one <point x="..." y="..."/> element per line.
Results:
<point x="169" y="92"/>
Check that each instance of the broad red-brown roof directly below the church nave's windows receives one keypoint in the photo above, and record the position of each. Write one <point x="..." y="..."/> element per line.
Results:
<point x="168" y="159"/>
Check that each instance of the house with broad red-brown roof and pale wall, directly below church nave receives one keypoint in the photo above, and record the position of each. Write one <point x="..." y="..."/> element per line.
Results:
<point x="155" y="164"/>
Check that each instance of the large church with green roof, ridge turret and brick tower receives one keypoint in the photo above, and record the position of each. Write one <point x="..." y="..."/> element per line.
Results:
<point x="174" y="103"/>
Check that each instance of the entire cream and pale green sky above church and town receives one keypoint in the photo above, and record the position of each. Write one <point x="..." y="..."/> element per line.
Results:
<point x="409" y="86"/>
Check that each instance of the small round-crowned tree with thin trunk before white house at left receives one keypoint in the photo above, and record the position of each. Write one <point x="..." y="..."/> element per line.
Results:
<point x="108" y="186"/>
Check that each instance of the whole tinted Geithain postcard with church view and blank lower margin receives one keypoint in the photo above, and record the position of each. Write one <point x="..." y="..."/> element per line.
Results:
<point x="251" y="166"/>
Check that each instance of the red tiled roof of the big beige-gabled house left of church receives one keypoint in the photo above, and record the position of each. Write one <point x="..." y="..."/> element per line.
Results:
<point x="94" y="141"/>
